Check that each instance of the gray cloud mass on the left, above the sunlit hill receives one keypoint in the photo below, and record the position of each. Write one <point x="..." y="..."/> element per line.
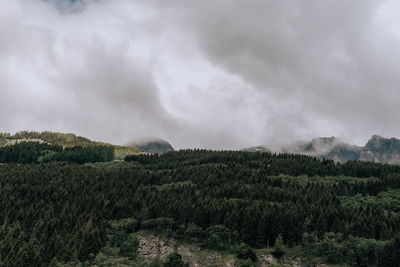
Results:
<point x="59" y="77"/>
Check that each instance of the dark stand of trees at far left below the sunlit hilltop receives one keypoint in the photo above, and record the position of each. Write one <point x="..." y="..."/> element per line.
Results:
<point x="35" y="152"/>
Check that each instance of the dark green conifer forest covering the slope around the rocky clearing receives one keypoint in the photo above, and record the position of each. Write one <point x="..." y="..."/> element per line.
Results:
<point x="63" y="211"/>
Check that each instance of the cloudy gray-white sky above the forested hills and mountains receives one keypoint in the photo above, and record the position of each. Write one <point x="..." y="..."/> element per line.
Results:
<point x="219" y="75"/>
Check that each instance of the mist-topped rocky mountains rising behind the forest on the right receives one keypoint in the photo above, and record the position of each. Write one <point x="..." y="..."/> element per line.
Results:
<point x="377" y="149"/>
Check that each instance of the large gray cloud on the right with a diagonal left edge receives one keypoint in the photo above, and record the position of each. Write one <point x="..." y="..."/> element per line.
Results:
<point x="329" y="61"/>
